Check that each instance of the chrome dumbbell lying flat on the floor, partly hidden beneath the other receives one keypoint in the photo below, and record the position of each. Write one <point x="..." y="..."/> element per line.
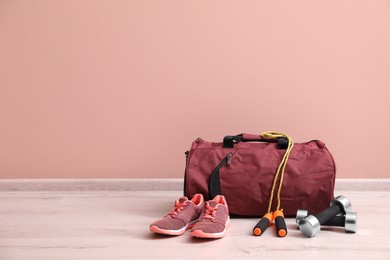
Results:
<point x="348" y="221"/>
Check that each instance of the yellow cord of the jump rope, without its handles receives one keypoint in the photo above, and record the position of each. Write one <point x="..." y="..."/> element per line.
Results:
<point x="281" y="167"/>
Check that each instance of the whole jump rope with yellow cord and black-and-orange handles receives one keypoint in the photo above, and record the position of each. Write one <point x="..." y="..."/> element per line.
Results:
<point x="277" y="215"/>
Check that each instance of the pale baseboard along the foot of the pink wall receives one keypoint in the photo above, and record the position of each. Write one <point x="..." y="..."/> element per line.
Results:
<point x="174" y="184"/>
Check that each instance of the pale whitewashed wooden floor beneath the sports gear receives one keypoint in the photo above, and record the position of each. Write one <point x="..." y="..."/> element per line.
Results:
<point x="114" y="225"/>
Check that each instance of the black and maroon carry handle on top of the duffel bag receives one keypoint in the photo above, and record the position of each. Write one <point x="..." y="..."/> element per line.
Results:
<point x="230" y="140"/>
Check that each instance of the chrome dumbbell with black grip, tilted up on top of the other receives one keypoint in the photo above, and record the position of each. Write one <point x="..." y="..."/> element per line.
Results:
<point x="311" y="225"/>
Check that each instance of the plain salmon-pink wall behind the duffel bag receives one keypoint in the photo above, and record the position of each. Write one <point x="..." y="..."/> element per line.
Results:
<point x="95" y="89"/>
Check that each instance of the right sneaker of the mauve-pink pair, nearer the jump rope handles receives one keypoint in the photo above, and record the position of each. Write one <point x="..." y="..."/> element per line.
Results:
<point x="214" y="222"/>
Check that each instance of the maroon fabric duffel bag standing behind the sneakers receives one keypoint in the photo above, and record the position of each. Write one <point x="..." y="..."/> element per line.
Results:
<point x="242" y="168"/>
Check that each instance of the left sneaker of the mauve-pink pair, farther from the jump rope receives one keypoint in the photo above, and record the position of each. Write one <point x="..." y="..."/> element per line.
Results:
<point x="182" y="217"/>
